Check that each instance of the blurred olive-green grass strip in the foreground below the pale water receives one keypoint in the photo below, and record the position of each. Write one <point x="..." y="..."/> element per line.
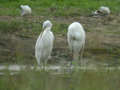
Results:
<point x="41" y="80"/>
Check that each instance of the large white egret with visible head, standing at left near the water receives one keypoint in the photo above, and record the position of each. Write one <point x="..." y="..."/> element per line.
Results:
<point x="44" y="44"/>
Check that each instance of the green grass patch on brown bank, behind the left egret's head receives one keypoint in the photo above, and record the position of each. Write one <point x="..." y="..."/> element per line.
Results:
<point x="25" y="28"/>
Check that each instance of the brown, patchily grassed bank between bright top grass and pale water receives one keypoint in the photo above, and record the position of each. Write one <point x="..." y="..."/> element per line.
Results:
<point x="19" y="34"/>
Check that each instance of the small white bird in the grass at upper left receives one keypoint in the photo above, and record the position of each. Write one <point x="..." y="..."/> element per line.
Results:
<point x="26" y="10"/>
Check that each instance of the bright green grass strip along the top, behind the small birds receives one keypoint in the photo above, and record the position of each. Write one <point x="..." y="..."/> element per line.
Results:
<point x="57" y="7"/>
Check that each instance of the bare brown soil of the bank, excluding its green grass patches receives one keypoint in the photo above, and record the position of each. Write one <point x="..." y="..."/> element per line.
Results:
<point x="102" y="42"/>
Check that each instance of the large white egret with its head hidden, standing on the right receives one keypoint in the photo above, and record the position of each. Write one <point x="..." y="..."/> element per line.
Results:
<point x="76" y="39"/>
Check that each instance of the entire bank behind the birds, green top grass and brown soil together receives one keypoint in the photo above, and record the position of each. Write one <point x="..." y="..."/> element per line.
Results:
<point x="19" y="34"/>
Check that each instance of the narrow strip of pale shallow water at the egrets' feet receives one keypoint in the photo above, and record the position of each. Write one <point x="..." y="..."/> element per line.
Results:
<point x="17" y="68"/>
